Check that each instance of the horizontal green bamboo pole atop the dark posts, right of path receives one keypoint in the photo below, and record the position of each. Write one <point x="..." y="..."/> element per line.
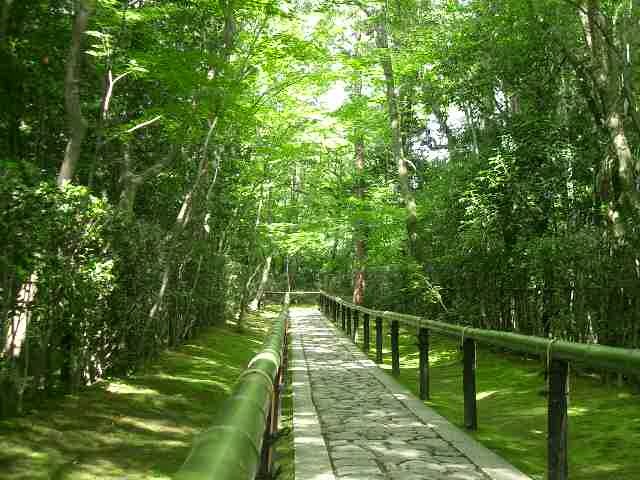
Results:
<point x="600" y="356"/>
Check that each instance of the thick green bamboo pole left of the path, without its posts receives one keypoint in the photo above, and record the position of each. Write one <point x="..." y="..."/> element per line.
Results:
<point x="231" y="448"/>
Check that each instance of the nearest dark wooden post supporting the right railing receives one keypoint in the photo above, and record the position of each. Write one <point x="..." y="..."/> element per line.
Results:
<point x="557" y="421"/>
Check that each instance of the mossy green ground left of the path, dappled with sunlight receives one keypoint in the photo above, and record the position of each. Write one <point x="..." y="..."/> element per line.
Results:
<point x="137" y="427"/>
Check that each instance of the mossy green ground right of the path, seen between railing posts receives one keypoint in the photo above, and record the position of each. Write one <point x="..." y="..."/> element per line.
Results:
<point x="604" y="420"/>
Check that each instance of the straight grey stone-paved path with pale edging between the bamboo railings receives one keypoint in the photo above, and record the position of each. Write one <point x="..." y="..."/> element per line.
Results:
<point x="352" y="421"/>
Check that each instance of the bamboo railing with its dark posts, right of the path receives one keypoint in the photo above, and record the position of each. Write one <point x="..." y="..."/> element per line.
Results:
<point x="557" y="353"/>
